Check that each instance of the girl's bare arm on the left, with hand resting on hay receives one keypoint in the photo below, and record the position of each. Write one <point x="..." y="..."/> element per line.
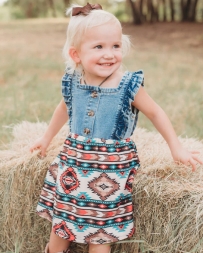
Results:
<point x="59" y="118"/>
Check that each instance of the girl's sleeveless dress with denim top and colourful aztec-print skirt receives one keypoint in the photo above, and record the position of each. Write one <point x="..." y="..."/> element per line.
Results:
<point x="87" y="192"/>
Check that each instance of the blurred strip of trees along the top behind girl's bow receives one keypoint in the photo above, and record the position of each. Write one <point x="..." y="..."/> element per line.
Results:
<point x="137" y="11"/>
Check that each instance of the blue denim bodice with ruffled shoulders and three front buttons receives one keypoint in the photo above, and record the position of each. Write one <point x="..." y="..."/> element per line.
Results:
<point x="97" y="112"/>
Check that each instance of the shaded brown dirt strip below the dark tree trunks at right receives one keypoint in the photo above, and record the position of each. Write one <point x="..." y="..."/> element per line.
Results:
<point x="182" y="35"/>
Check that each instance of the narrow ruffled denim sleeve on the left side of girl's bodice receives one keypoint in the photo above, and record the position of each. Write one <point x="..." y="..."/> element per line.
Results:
<point x="67" y="94"/>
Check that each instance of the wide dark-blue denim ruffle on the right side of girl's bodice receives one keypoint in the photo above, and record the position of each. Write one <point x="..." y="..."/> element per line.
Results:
<point x="127" y="116"/>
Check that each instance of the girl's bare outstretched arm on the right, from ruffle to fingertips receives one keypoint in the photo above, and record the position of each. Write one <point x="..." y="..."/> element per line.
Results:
<point x="158" y="117"/>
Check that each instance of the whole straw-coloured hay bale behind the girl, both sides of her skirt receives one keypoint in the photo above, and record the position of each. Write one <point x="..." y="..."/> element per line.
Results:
<point x="167" y="197"/>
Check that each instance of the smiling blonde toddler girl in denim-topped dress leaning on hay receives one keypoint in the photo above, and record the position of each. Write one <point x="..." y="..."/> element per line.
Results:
<point x="87" y="189"/>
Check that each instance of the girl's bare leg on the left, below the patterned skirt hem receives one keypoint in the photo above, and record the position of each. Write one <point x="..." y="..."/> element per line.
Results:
<point x="57" y="244"/>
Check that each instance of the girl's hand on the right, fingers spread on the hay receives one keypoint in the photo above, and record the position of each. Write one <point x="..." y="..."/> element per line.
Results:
<point x="186" y="157"/>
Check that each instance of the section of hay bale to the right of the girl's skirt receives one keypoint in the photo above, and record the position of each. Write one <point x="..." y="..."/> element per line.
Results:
<point x="168" y="198"/>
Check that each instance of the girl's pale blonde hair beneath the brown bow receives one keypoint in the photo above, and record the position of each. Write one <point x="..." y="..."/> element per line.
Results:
<point x="77" y="27"/>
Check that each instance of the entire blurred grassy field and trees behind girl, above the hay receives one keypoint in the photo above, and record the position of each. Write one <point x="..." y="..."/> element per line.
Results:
<point x="167" y="37"/>
